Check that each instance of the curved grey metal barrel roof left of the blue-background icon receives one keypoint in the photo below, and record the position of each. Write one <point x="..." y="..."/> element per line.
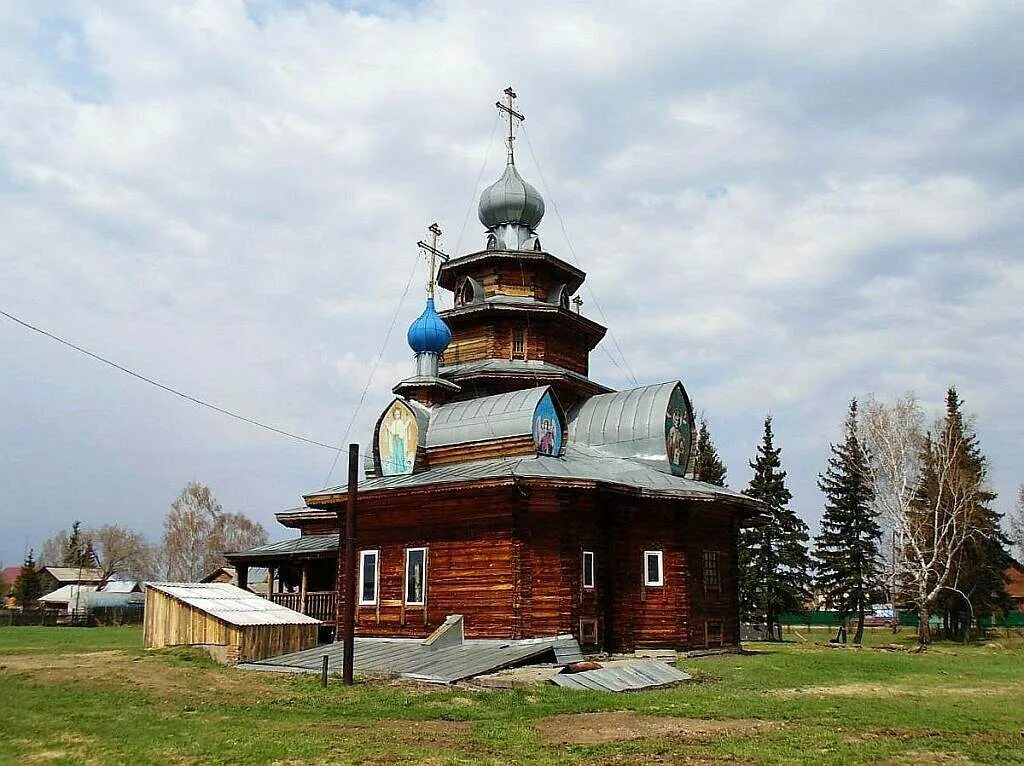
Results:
<point x="485" y="418"/>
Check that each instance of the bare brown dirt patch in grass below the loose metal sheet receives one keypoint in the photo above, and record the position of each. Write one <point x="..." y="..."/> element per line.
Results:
<point x="595" y="729"/>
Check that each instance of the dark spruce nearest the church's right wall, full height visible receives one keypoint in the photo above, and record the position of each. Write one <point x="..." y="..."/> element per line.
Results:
<point x="774" y="559"/>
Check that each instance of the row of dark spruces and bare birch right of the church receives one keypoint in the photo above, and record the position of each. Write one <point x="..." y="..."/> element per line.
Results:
<point x="909" y="520"/>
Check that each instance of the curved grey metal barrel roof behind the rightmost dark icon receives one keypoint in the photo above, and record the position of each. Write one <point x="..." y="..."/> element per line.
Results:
<point x="626" y="424"/>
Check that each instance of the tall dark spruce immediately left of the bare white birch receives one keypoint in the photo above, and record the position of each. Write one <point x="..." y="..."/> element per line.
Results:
<point x="846" y="551"/>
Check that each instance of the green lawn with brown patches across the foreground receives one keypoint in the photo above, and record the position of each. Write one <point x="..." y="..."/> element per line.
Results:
<point x="76" y="696"/>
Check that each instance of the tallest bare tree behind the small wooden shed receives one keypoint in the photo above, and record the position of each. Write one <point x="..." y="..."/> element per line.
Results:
<point x="197" y="532"/>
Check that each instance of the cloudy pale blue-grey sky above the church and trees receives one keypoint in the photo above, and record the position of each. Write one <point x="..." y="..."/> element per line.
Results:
<point x="782" y="205"/>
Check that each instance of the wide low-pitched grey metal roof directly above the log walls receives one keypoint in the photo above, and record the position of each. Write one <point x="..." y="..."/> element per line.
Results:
<point x="578" y="463"/>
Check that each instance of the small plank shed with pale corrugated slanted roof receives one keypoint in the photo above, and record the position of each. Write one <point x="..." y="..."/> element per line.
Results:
<point x="233" y="625"/>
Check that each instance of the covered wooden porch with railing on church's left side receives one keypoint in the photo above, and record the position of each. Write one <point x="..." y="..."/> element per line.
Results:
<point x="303" y="574"/>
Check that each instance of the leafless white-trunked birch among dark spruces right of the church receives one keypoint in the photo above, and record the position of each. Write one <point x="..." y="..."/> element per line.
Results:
<point x="925" y="498"/>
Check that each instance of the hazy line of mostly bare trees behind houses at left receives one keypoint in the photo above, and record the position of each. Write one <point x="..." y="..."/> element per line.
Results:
<point x="197" y="533"/>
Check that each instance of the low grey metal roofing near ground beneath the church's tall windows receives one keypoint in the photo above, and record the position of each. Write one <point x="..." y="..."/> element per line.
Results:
<point x="412" y="659"/>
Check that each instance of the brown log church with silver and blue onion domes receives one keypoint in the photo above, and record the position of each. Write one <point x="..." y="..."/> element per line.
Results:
<point x="509" y="488"/>
